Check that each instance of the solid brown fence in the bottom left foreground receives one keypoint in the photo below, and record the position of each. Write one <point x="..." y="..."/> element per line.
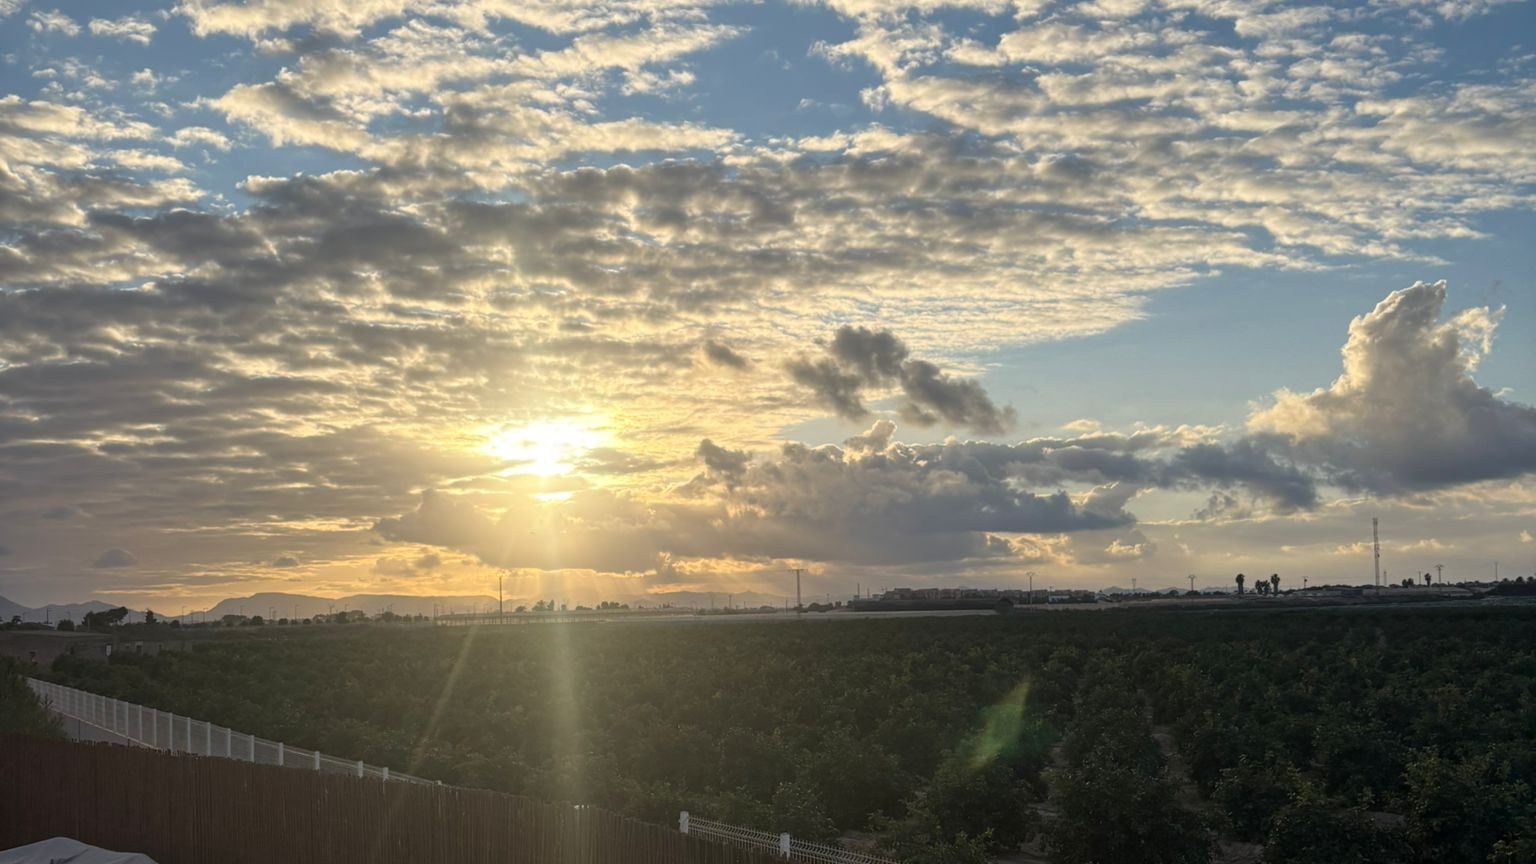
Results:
<point x="182" y="809"/>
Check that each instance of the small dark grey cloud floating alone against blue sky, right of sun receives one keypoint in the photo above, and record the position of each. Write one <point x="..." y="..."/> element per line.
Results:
<point x="859" y="357"/>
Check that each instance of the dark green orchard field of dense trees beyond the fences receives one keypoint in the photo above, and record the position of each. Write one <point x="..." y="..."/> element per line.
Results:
<point x="1385" y="736"/>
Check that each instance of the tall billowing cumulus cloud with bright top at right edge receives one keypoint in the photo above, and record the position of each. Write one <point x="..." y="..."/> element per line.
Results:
<point x="1406" y="413"/>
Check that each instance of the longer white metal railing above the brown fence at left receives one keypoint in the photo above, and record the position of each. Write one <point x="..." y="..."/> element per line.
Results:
<point x="162" y="731"/>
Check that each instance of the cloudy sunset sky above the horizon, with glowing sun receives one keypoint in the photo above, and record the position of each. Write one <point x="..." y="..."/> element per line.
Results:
<point x="644" y="296"/>
